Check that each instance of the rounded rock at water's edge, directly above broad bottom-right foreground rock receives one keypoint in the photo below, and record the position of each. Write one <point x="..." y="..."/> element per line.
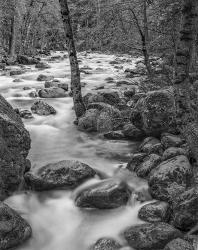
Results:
<point x="155" y="212"/>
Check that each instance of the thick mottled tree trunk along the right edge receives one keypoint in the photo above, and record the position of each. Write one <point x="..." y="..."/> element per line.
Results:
<point x="187" y="114"/>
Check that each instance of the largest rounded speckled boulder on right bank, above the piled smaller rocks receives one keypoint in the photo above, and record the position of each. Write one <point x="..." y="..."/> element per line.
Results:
<point x="155" y="113"/>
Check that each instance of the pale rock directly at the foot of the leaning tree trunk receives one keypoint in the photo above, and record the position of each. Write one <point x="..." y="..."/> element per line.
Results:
<point x="89" y="121"/>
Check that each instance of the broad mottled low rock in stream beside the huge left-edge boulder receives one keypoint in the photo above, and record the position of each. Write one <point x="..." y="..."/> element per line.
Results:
<point x="61" y="175"/>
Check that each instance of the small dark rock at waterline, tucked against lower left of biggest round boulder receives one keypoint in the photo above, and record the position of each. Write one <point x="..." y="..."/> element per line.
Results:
<point x="133" y="133"/>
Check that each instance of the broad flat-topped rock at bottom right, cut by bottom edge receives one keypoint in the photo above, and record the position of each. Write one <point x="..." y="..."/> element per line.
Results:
<point x="151" y="236"/>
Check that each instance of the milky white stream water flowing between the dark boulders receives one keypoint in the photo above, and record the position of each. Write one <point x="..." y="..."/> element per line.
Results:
<point x="56" y="222"/>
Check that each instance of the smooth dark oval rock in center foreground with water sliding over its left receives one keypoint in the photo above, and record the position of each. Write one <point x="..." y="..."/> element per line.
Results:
<point x="104" y="195"/>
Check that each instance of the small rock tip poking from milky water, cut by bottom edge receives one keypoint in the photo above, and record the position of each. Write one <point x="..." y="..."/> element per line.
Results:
<point x="106" y="244"/>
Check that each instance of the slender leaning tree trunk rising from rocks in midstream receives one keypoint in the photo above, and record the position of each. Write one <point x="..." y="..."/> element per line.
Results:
<point x="79" y="106"/>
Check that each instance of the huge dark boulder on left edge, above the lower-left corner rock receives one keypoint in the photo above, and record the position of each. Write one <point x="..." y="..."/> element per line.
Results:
<point x="15" y="145"/>
